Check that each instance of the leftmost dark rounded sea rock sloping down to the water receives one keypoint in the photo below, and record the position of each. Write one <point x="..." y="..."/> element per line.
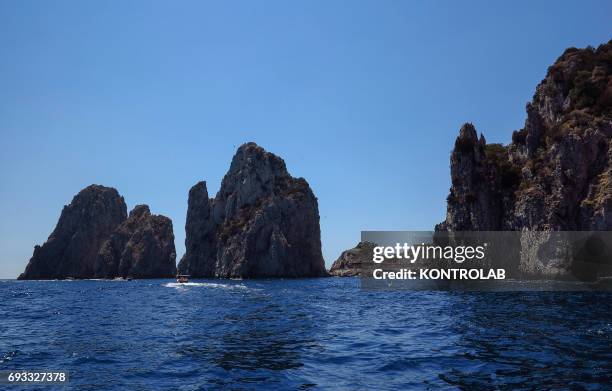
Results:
<point x="72" y="247"/>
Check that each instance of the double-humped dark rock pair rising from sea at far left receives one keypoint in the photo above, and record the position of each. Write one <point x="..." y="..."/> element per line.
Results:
<point x="95" y="239"/>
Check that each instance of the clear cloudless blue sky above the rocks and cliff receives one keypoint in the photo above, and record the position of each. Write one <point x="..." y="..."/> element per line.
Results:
<point x="362" y="98"/>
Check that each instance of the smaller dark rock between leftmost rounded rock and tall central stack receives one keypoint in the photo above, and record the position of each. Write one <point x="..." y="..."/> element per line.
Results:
<point x="141" y="247"/>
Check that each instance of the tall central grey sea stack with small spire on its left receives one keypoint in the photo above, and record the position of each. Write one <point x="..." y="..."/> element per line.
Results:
<point x="262" y="223"/>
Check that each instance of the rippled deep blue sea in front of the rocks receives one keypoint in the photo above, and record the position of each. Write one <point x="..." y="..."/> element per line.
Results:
<point x="302" y="334"/>
